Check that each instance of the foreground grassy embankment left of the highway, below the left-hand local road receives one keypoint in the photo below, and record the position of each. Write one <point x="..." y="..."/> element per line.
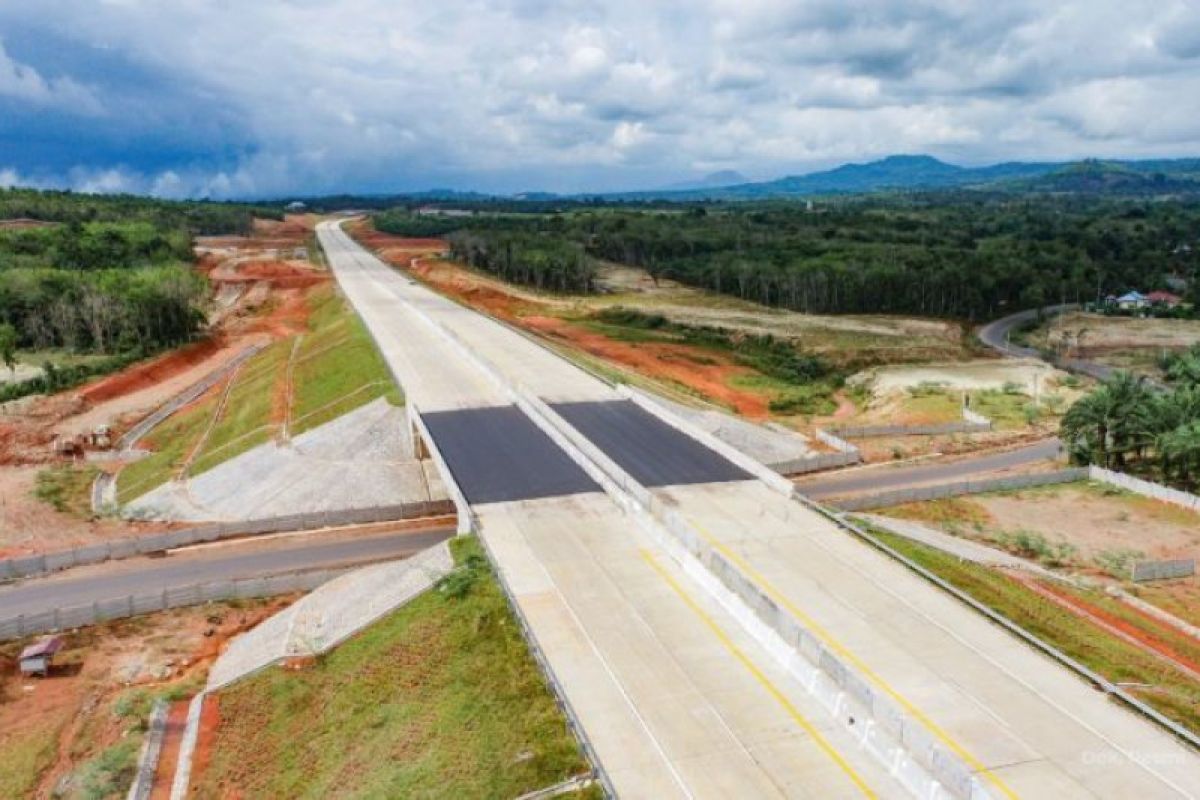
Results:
<point x="440" y="700"/>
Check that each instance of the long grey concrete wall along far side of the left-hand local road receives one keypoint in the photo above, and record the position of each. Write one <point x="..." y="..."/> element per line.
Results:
<point x="119" y="549"/>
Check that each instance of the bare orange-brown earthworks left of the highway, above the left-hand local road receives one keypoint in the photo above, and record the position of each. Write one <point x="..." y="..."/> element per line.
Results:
<point x="266" y="299"/>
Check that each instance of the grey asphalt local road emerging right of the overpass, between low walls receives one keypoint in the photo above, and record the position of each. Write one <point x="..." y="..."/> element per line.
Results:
<point x="880" y="479"/>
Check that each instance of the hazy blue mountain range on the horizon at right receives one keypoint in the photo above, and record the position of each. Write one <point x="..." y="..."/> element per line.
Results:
<point x="910" y="173"/>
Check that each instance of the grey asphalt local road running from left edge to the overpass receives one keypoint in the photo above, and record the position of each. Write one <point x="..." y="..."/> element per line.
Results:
<point x="249" y="560"/>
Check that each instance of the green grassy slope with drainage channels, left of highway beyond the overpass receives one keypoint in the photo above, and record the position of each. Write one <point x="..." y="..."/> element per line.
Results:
<point x="338" y="370"/>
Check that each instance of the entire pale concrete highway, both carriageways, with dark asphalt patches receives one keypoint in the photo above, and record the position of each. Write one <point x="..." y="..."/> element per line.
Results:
<point x="668" y="683"/>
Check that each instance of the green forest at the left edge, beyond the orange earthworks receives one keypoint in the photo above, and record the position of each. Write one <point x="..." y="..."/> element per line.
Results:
<point x="105" y="276"/>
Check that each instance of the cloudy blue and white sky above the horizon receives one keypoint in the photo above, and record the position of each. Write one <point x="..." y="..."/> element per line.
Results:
<point x="277" y="98"/>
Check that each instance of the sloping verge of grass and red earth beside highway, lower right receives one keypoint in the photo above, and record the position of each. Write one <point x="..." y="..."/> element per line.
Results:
<point x="1149" y="658"/>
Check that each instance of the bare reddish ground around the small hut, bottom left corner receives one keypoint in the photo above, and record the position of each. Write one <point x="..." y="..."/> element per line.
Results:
<point x="77" y="733"/>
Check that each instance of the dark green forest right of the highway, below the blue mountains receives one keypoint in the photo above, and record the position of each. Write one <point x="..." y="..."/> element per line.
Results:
<point x="955" y="254"/>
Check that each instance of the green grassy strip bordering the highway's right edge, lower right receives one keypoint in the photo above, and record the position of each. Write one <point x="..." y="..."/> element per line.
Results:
<point x="1171" y="691"/>
